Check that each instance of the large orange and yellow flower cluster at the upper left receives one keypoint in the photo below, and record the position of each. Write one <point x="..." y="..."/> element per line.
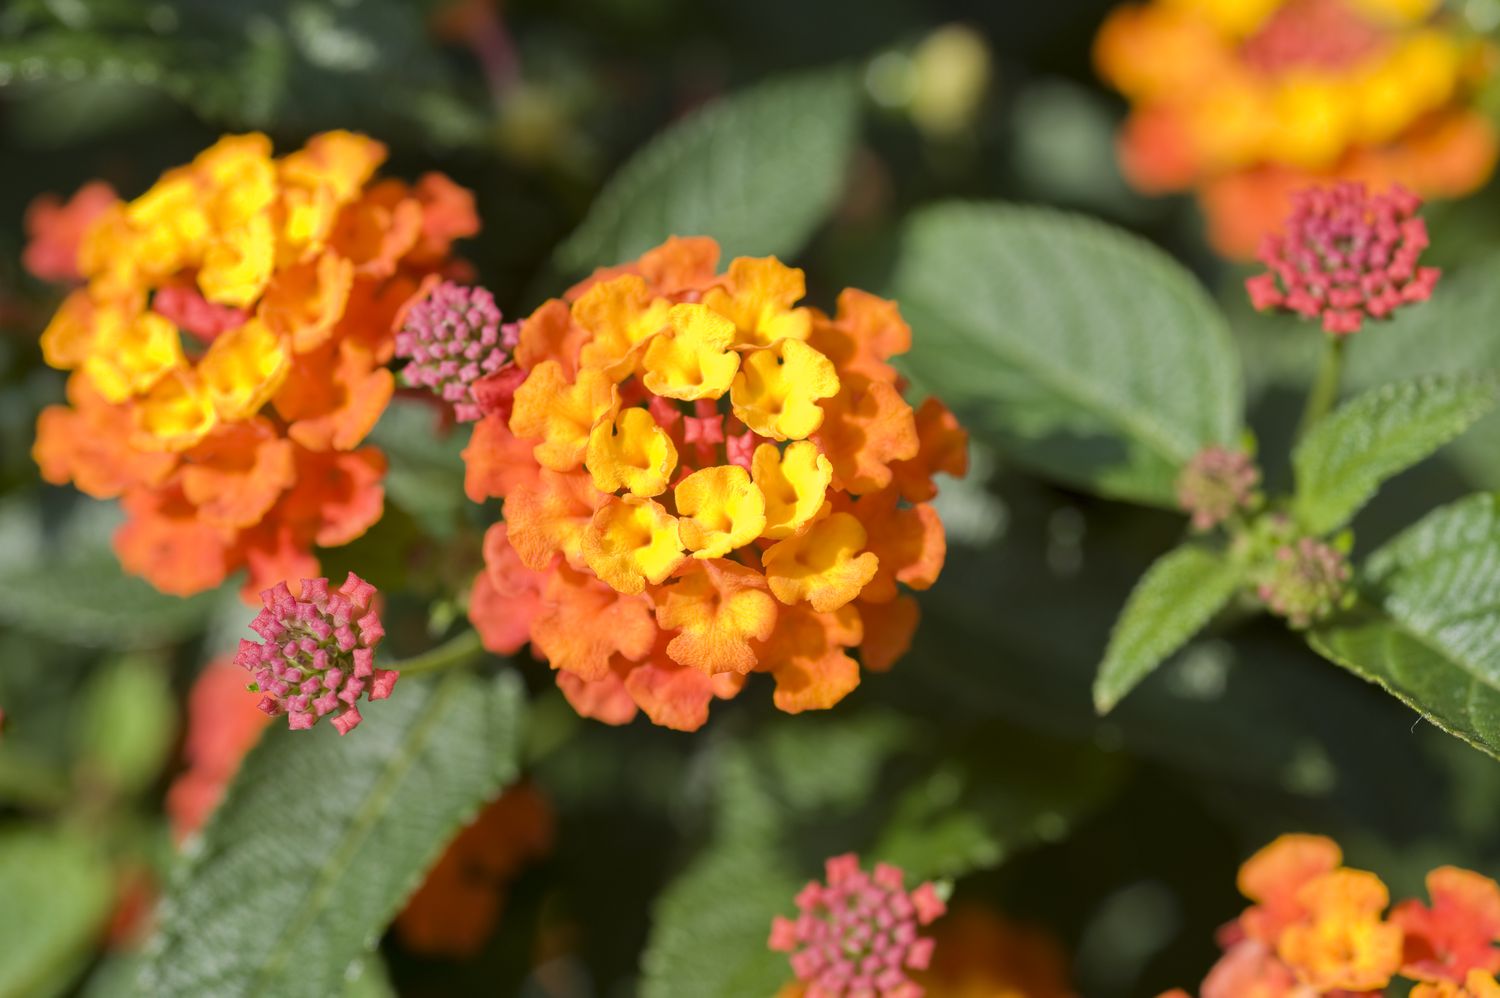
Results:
<point x="229" y="353"/>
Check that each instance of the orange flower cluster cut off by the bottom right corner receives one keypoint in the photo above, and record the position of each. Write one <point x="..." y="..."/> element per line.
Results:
<point x="1321" y="928"/>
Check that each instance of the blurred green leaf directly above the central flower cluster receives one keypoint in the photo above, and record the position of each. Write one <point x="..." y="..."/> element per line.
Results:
<point x="760" y="172"/>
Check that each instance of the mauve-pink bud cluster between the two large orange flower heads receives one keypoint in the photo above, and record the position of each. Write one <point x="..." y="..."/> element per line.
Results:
<point x="454" y="338"/>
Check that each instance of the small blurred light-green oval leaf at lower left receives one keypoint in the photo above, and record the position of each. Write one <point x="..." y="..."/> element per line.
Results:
<point x="127" y="726"/>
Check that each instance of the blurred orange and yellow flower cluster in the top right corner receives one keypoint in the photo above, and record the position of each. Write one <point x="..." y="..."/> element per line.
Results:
<point x="1247" y="101"/>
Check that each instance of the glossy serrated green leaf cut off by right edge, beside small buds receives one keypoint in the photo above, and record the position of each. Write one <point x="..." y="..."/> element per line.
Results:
<point x="1433" y="636"/>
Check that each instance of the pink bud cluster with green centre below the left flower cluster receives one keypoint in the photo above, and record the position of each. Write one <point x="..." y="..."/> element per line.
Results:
<point x="319" y="655"/>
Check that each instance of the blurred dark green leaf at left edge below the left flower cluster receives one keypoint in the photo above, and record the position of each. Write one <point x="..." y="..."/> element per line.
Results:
<point x="86" y="600"/>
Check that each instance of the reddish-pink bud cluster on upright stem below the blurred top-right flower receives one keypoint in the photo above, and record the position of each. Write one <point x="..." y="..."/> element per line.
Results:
<point x="1346" y="256"/>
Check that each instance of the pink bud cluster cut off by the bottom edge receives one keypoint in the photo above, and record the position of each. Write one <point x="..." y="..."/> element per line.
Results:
<point x="857" y="934"/>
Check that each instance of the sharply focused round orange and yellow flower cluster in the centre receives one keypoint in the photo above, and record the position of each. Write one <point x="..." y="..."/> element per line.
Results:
<point x="706" y="479"/>
